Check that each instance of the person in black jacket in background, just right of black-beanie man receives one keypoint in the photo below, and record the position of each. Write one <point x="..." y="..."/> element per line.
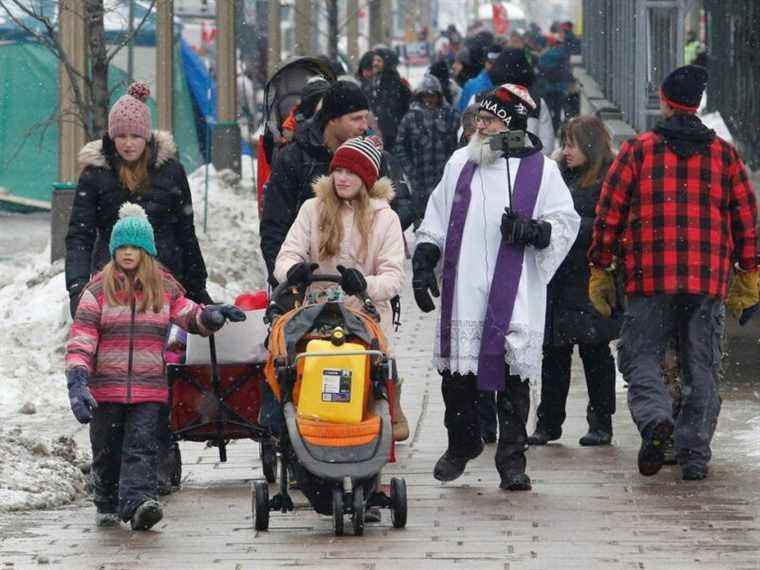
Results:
<point x="389" y="95"/>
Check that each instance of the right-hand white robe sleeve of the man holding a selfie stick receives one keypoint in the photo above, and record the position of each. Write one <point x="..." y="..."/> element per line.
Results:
<point x="555" y="205"/>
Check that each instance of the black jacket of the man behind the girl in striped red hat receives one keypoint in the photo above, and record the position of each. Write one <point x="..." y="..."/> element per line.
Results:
<point x="290" y="185"/>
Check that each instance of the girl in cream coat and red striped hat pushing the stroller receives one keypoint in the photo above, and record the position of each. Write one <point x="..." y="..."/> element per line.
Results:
<point x="349" y="228"/>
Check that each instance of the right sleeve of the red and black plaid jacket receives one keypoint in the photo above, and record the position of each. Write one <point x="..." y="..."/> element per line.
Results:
<point x="743" y="209"/>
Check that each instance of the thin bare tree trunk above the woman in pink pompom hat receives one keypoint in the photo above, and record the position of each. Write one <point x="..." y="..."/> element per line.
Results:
<point x="98" y="65"/>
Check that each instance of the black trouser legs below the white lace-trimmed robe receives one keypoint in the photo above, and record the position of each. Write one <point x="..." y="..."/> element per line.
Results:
<point x="461" y="418"/>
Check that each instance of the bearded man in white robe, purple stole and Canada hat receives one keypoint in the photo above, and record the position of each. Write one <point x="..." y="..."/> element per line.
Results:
<point x="497" y="246"/>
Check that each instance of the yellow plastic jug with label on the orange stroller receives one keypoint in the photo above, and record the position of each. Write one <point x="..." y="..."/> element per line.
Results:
<point x="334" y="387"/>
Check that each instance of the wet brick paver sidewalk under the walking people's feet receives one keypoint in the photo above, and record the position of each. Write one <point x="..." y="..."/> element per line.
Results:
<point x="589" y="508"/>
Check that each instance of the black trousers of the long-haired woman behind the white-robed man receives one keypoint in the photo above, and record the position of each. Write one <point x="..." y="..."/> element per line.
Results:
<point x="599" y="367"/>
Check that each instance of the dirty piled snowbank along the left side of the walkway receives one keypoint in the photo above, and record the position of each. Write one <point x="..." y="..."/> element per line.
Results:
<point x="40" y="464"/>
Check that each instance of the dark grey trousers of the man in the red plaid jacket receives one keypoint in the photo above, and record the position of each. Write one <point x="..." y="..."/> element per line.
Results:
<point x="649" y="324"/>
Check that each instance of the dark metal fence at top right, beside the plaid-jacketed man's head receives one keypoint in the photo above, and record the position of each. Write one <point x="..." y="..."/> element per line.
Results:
<point x="733" y="28"/>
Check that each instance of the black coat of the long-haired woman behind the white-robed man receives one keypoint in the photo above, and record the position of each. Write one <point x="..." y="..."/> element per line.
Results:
<point x="570" y="317"/>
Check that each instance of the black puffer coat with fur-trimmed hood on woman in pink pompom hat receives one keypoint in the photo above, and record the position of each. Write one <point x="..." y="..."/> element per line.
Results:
<point x="99" y="196"/>
